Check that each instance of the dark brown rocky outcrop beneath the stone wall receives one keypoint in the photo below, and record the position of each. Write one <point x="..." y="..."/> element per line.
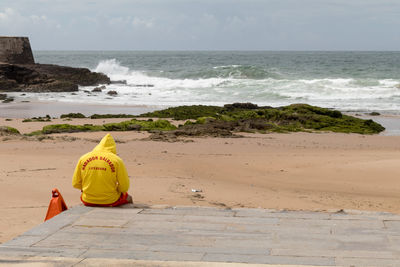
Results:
<point x="46" y="78"/>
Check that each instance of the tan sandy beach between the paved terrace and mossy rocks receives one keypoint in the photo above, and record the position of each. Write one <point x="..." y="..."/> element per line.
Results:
<point x="298" y="171"/>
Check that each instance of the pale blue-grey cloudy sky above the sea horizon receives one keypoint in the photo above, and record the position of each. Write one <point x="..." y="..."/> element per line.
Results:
<point x="204" y="24"/>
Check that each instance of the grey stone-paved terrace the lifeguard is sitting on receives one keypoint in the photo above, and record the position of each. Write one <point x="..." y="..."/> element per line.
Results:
<point x="204" y="236"/>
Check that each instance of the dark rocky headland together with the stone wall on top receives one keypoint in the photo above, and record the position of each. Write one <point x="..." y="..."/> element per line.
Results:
<point x="20" y="73"/>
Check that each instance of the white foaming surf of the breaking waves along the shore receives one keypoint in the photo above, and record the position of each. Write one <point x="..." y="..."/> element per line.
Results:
<point x="144" y="89"/>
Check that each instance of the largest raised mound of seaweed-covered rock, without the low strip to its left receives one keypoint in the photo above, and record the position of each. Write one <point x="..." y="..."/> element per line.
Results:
<point x="249" y="118"/>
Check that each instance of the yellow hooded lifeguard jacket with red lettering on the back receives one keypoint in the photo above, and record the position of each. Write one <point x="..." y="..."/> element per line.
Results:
<point x="101" y="174"/>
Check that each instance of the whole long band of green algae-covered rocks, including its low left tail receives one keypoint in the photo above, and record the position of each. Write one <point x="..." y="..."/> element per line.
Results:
<point x="237" y="117"/>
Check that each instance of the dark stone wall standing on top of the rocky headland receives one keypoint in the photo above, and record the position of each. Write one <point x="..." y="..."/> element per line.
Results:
<point x="15" y="50"/>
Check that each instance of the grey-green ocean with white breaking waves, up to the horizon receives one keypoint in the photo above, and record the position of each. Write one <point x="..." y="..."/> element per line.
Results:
<point x="348" y="81"/>
